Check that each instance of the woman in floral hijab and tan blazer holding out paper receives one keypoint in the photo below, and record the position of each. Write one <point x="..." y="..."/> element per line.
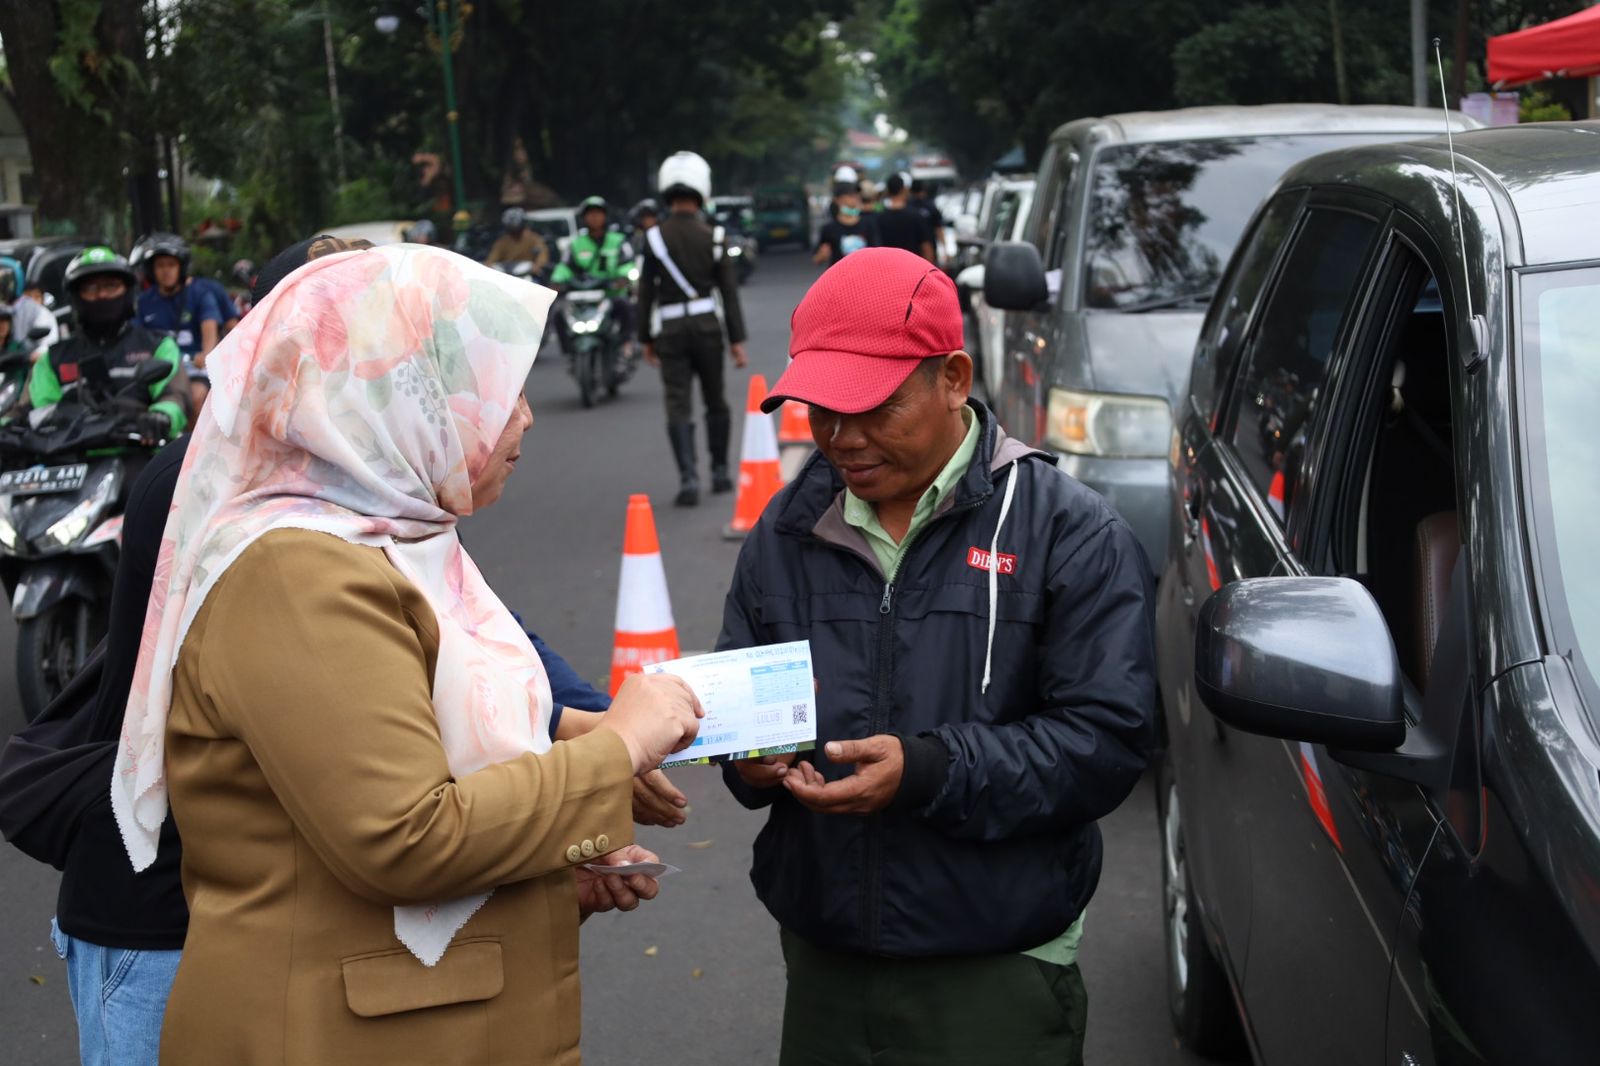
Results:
<point x="385" y="849"/>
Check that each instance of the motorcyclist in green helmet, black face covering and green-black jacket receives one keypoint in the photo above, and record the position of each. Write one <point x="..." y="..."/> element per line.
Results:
<point x="110" y="347"/>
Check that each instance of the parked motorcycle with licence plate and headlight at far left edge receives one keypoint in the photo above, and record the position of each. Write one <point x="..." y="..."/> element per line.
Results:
<point x="62" y="499"/>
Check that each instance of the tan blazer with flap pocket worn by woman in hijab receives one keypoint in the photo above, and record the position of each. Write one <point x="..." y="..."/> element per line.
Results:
<point x="313" y="796"/>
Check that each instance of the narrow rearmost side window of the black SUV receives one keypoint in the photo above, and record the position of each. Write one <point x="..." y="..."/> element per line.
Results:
<point x="1225" y="331"/>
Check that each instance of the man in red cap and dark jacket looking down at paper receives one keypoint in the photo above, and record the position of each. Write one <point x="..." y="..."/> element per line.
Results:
<point x="980" y="627"/>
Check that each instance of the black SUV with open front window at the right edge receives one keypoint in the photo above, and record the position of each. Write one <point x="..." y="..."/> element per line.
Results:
<point x="1380" y="617"/>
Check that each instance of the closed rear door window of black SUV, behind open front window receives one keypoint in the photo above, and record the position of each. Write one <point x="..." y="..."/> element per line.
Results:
<point x="1290" y="350"/>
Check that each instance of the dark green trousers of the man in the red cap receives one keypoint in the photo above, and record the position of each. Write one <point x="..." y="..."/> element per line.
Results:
<point x="985" y="1011"/>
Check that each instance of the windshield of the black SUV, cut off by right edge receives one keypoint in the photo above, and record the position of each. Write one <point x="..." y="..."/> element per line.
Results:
<point x="1561" y="339"/>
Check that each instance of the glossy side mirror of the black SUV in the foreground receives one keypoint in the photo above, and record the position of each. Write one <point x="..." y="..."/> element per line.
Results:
<point x="1303" y="660"/>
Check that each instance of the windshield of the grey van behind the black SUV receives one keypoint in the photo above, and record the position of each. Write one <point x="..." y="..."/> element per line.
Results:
<point x="1164" y="218"/>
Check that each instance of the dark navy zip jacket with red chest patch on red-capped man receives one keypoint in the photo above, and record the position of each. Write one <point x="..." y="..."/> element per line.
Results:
<point x="991" y="844"/>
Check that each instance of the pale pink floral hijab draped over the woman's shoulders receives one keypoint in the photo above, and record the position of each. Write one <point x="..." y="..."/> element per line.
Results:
<point x="361" y="399"/>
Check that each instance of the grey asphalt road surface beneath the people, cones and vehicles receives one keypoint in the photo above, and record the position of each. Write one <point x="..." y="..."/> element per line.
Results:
<point x="697" y="977"/>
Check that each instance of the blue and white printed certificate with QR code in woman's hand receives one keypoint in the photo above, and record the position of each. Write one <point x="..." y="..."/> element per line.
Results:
<point x="759" y="702"/>
